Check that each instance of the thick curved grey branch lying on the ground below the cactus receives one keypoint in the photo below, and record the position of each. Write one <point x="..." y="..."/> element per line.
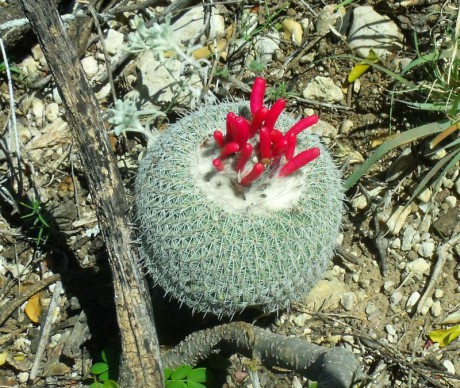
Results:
<point x="330" y="367"/>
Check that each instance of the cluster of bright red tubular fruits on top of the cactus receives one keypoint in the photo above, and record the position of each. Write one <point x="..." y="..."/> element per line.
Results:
<point x="270" y="146"/>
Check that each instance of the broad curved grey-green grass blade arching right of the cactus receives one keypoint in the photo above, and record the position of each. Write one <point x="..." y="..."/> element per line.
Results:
<point x="396" y="141"/>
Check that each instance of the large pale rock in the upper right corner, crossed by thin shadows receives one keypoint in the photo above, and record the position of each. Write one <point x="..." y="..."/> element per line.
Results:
<point x="370" y="30"/>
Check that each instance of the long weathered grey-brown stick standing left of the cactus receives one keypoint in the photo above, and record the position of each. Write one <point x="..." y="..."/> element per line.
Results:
<point x="140" y="363"/>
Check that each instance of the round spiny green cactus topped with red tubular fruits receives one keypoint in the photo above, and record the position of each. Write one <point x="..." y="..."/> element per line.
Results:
<point x="238" y="205"/>
